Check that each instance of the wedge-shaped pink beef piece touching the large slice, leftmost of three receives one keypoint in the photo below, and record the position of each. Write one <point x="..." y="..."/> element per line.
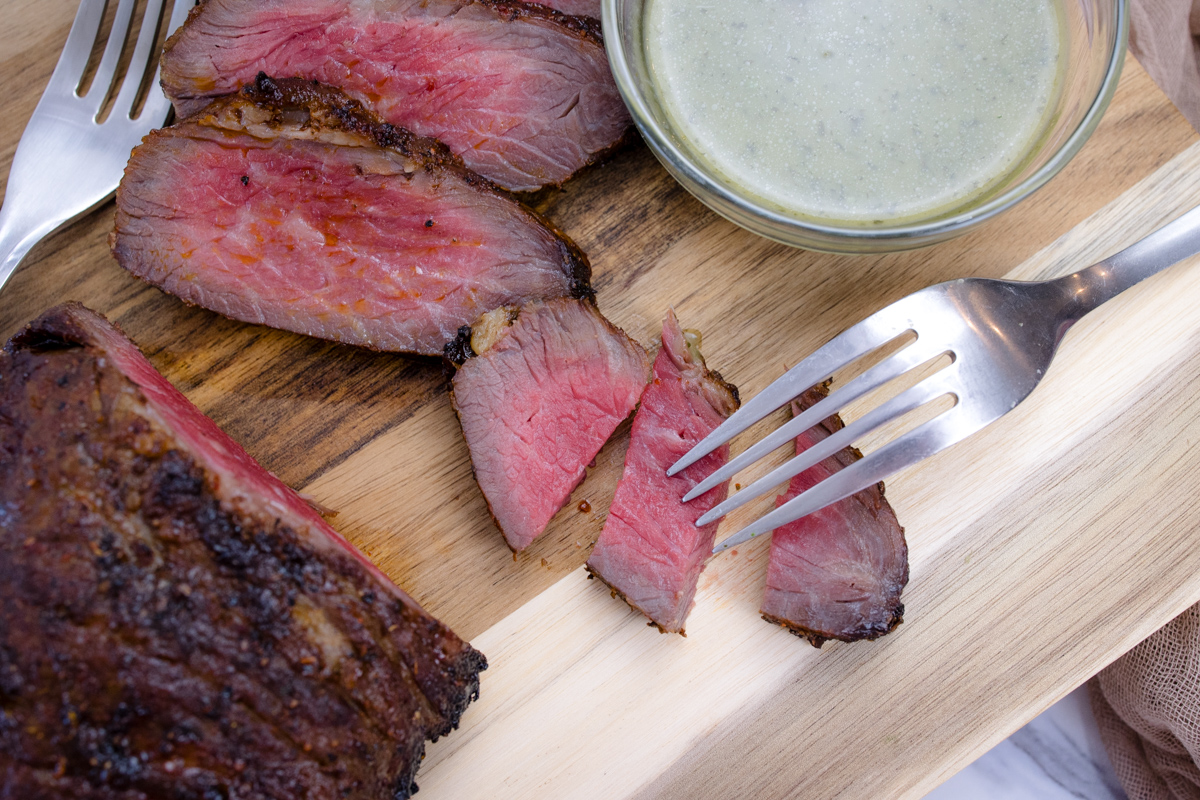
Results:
<point x="545" y="389"/>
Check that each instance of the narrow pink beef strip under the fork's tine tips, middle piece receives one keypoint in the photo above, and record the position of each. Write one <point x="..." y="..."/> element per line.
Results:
<point x="651" y="552"/>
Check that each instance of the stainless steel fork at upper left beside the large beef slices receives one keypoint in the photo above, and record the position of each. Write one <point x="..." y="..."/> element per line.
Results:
<point x="68" y="163"/>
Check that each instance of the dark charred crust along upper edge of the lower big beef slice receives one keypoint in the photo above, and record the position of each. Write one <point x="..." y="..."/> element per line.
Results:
<point x="321" y="107"/>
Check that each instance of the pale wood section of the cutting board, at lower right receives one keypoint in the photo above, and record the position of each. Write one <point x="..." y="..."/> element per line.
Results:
<point x="1041" y="550"/>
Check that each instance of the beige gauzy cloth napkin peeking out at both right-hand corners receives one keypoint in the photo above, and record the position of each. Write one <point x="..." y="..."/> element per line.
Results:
<point x="1148" y="703"/>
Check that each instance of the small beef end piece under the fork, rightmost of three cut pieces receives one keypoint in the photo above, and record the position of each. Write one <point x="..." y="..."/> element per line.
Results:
<point x="837" y="574"/>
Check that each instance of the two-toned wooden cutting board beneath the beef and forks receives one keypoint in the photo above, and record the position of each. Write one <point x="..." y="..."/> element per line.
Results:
<point x="1042" y="549"/>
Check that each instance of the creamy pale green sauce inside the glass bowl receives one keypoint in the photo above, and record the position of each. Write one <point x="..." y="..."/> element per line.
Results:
<point x="857" y="111"/>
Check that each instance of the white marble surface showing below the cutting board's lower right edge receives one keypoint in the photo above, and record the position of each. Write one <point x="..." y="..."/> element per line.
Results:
<point x="1058" y="756"/>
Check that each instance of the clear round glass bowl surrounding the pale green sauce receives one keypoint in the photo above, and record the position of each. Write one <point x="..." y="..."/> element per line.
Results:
<point x="1096" y="38"/>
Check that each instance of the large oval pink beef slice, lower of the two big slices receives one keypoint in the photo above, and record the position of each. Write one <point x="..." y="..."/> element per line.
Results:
<point x="292" y="207"/>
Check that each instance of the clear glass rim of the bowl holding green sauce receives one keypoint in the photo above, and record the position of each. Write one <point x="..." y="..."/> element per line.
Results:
<point x="934" y="231"/>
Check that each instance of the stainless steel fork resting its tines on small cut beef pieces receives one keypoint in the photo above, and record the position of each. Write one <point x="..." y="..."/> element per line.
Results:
<point x="1001" y="336"/>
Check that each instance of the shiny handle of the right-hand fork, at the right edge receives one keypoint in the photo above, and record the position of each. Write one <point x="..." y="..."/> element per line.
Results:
<point x="1106" y="280"/>
